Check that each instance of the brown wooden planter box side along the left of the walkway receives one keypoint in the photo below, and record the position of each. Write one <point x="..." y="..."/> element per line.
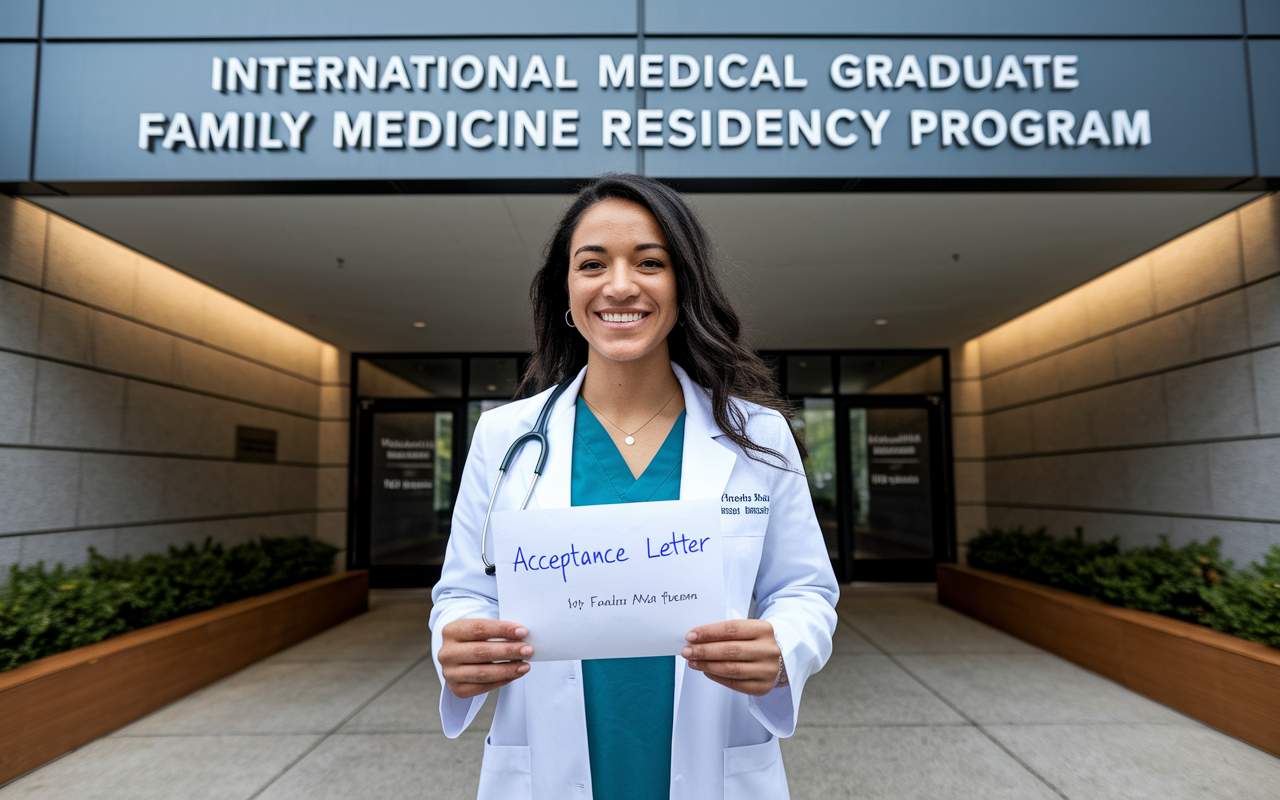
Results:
<point x="60" y="703"/>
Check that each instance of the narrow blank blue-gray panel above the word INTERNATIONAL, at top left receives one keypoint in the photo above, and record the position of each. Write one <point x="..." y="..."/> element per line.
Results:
<point x="323" y="19"/>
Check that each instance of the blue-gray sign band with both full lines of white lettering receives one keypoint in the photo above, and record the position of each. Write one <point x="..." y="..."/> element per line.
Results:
<point x="687" y="108"/>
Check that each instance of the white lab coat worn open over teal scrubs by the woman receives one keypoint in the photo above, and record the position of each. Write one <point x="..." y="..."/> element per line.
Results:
<point x="725" y="744"/>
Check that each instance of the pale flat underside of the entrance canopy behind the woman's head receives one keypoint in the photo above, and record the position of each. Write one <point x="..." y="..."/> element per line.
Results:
<point x="451" y="273"/>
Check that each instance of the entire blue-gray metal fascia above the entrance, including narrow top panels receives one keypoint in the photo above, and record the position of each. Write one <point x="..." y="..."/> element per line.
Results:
<point x="330" y="90"/>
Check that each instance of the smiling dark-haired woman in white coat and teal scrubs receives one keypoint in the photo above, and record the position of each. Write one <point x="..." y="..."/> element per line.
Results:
<point x="665" y="403"/>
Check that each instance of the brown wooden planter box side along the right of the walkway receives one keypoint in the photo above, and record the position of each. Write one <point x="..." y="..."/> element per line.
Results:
<point x="1222" y="680"/>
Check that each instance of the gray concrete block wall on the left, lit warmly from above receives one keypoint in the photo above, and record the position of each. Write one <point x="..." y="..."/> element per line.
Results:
<point x="122" y="383"/>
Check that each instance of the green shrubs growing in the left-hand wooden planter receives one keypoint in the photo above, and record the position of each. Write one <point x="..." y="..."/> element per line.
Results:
<point x="51" y="611"/>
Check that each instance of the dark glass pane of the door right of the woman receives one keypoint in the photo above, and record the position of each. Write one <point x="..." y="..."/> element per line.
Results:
<point x="890" y="469"/>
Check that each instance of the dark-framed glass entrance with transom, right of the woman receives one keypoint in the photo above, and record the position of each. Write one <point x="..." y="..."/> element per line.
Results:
<point x="875" y="429"/>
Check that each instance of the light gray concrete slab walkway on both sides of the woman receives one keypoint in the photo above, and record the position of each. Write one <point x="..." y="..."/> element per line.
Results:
<point x="917" y="703"/>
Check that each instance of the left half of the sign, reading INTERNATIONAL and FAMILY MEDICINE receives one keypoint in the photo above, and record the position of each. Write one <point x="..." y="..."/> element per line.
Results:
<point x="522" y="108"/>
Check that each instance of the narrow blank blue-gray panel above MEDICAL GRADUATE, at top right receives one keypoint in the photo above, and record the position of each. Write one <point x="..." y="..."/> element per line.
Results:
<point x="948" y="17"/>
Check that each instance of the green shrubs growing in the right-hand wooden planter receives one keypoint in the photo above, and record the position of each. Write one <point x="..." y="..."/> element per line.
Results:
<point x="1192" y="583"/>
